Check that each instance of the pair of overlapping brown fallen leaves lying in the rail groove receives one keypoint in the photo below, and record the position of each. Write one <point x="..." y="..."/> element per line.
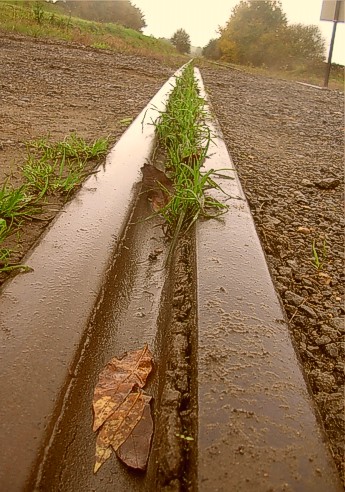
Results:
<point x="119" y="406"/>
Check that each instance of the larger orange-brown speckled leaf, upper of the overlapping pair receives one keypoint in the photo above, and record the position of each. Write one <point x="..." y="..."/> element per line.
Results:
<point x="116" y="382"/>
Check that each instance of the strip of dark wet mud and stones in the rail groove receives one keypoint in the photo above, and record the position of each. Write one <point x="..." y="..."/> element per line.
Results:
<point x="173" y="463"/>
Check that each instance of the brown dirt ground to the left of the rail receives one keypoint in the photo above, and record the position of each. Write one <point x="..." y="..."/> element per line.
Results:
<point x="55" y="88"/>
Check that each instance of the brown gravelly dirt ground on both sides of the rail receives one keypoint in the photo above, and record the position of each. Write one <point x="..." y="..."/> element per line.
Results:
<point x="286" y="141"/>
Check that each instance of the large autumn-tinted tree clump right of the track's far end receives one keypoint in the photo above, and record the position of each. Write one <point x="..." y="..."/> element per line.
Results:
<point x="257" y="33"/>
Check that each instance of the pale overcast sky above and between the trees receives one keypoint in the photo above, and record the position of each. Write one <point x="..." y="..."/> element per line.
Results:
<point x="201" y="18"/>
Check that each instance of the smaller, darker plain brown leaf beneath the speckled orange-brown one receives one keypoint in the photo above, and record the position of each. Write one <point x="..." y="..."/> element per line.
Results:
<point x="134" y="452"/>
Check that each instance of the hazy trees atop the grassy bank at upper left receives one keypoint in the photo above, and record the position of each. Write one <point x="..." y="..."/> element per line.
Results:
<point x="116" y="11"/>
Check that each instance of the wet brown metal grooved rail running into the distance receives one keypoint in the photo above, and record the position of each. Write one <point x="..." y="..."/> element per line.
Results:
<point x="212" y="318"/>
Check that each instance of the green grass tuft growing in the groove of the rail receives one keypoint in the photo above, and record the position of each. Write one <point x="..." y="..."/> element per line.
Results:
<point x="184" y="135"/>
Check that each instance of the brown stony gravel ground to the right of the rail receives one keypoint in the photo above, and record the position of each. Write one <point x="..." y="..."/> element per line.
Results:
<point x="286" y="141"/>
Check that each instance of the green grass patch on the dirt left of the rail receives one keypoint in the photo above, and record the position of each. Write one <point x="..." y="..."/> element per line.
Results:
<point x="50" y="168"/>
